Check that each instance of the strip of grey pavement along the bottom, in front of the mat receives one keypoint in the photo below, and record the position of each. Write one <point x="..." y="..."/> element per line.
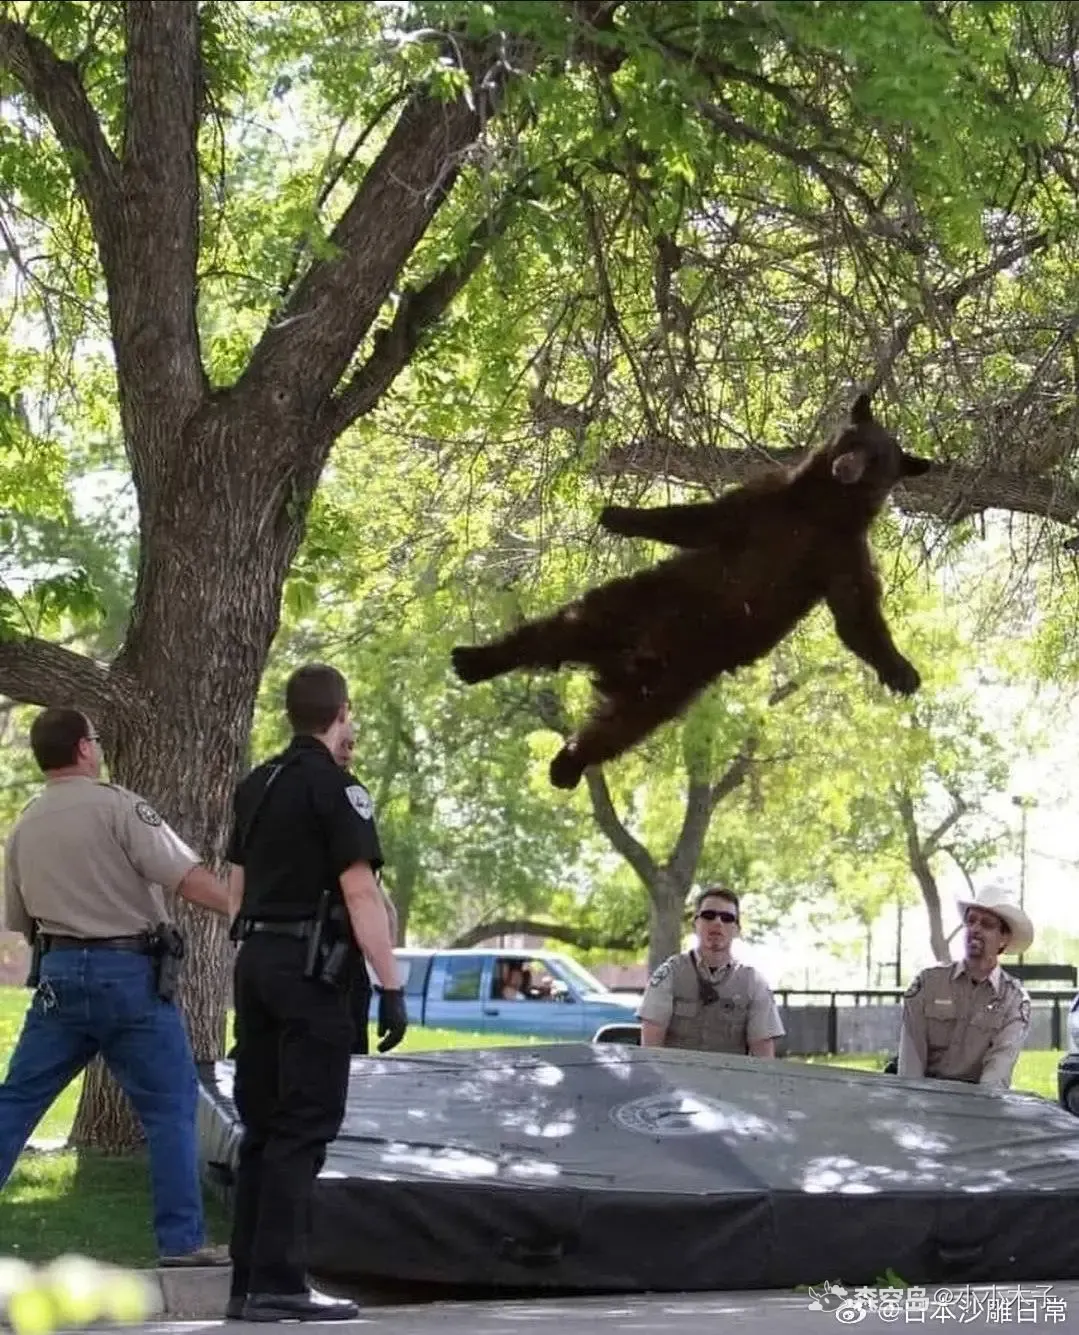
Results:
<point x="972" y="1310"/>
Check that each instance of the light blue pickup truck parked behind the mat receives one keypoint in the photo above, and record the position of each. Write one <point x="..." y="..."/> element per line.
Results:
<point x="532" y="994"/>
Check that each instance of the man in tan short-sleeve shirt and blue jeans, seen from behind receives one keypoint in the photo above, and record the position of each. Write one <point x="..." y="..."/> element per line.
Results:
<point x="87" y="866"/>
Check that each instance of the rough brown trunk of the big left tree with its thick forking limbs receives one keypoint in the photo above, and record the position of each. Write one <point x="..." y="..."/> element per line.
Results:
<point x="225" y="477"/>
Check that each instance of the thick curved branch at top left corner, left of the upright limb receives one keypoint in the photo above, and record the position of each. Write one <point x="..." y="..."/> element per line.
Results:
<point x="55" y="87"/>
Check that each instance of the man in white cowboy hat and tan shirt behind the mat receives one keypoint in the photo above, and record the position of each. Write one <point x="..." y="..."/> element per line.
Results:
<point x="969" y="1021"/>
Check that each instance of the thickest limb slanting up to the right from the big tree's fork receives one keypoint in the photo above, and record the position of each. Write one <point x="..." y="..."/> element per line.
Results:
<point x="304" y="353"/>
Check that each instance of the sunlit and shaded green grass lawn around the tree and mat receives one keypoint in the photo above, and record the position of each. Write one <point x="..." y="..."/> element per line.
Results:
<point x="59" y="1202"/>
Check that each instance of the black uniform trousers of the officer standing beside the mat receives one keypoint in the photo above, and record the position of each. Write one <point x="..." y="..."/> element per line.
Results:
<point x="290" y="1090"/>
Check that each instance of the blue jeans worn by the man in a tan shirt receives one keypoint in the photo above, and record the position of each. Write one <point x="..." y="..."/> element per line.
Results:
<point x="91" y="1002"/>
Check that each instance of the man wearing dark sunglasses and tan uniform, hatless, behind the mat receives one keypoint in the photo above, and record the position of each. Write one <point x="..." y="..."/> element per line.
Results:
<point x="706" y="1001"/>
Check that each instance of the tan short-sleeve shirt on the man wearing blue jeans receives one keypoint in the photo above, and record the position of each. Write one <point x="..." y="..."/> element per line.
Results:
<point x="91" y="860"/>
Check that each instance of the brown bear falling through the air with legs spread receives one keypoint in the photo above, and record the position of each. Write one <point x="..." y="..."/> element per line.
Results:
<point x="755" y="564"/>
